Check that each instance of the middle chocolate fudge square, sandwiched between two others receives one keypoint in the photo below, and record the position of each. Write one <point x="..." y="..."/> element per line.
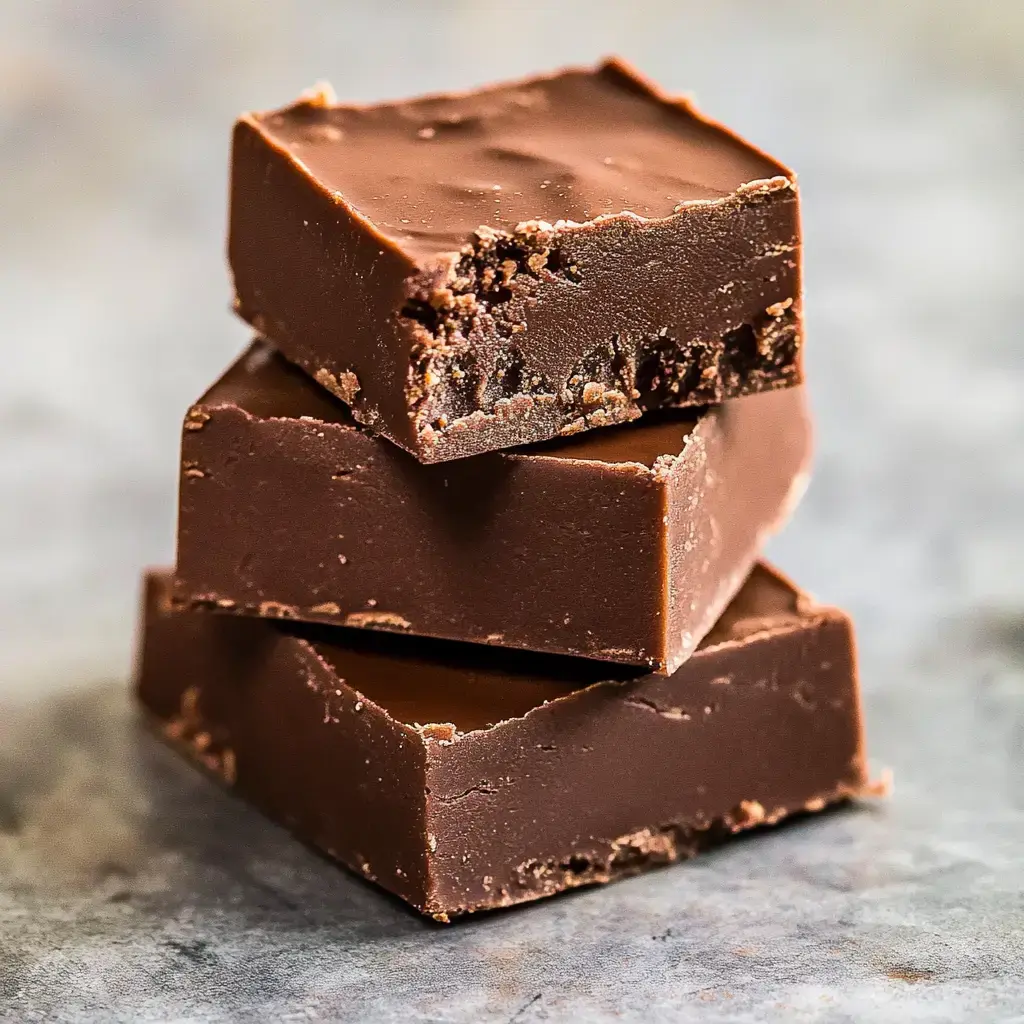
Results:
<point x="623" y="545"/>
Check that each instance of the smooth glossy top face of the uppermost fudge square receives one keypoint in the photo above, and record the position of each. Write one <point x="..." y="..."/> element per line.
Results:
<point x="574" y="146"/>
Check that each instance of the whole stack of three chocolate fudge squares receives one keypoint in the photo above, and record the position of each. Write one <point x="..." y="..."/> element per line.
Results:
<point x="468" y="590"/>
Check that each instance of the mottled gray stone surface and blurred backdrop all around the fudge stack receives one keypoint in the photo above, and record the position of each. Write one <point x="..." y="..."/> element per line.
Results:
<point x="134" y="890"/>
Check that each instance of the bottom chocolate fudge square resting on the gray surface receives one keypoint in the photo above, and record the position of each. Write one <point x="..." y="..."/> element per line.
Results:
<point x="464" y="778"/>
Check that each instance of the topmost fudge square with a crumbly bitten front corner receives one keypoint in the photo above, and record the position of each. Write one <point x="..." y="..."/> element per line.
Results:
<point x="485" y="270"/>
